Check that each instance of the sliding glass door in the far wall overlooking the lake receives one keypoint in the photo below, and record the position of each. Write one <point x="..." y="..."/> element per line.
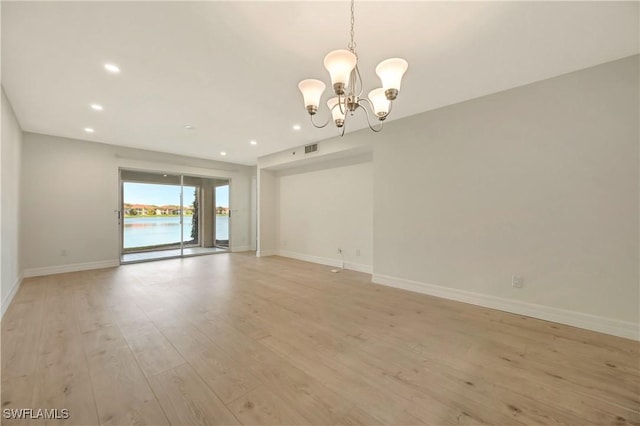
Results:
<point x="167" y="215"/>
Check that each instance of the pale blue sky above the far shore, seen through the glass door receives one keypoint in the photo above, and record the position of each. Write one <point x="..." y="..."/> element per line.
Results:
<point x="159" y="195"/>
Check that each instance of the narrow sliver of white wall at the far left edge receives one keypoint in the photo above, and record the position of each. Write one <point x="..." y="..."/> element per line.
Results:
<point x="10" y="153"/>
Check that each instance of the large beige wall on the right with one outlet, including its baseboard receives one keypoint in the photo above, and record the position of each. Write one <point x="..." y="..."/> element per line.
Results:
<point x="540" y="181"/>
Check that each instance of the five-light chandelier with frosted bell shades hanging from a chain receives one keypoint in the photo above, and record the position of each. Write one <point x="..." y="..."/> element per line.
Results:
<point x="347" y="85"/>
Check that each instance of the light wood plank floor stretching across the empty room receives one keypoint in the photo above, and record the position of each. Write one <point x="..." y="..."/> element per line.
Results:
<point x="231" y="338"/>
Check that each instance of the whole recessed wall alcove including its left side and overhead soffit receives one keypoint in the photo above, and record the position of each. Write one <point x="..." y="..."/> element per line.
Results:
<point x="311" y="204"/>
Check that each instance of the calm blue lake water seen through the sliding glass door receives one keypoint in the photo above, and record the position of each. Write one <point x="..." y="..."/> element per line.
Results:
<point x="144" y="231"/>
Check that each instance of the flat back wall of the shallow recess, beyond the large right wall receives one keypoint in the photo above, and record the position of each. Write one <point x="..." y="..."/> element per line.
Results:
<point x="326" y="209"/>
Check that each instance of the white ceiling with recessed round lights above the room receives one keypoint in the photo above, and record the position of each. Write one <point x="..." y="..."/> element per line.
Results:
<point x="231" y="69"/>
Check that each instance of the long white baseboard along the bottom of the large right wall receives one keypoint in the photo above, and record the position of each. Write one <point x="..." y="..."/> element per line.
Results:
<point x="611" y="326"/>
